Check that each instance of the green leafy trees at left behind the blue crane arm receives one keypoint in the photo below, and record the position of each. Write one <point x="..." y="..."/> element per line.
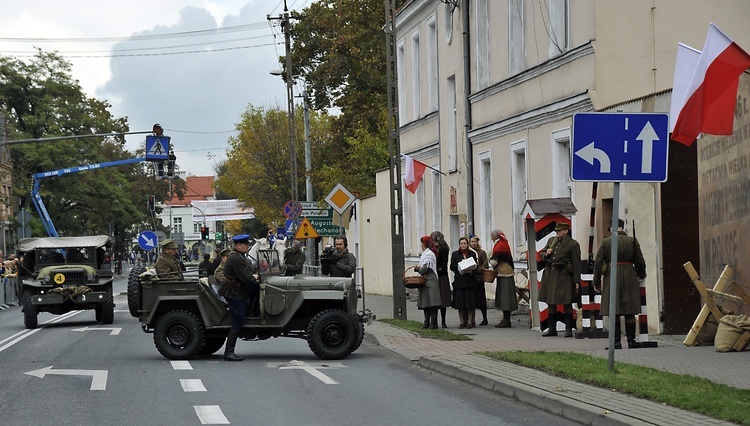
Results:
<point x="40" y="99"/>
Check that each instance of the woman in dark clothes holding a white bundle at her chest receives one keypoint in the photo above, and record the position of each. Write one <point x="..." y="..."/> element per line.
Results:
<point x="464" y="284"/>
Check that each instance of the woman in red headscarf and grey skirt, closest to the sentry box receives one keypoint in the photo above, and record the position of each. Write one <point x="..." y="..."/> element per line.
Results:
<point x="502" y="261"/>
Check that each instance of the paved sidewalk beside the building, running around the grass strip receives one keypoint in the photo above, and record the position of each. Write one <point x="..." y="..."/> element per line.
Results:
<point x="574" y="401"/>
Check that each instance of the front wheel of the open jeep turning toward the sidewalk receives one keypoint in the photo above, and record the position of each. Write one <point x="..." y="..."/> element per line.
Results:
<point x="332" y="334"/>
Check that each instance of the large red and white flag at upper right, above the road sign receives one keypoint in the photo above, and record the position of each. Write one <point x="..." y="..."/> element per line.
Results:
<point x="707" y="106"/>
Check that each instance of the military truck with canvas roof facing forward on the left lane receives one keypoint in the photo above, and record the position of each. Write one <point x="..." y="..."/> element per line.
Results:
<point x="59" y="275"/>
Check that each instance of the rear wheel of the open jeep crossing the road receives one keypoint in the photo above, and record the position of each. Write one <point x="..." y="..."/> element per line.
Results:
<point x="179" y="335"/>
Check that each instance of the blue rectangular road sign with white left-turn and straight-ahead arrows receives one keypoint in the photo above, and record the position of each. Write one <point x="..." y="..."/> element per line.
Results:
<point x="619" y="147"/>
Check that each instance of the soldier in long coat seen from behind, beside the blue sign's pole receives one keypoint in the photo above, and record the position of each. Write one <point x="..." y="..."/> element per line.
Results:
<point x="631" y="267"/>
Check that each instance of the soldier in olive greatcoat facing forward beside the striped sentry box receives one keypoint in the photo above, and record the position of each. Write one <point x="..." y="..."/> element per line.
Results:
<point x="562" y="276"/>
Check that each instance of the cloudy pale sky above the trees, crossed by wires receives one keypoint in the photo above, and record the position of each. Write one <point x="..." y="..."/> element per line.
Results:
<point x="133" y="54"/>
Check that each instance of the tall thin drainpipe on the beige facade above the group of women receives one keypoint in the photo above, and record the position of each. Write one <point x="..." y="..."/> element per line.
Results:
<point x="467" y="119"/>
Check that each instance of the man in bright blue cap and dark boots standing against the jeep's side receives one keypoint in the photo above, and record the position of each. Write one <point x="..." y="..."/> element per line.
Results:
<point x="239" y="286"/>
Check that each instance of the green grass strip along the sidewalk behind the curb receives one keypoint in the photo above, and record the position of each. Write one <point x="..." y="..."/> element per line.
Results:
<point x="682" y="391"/>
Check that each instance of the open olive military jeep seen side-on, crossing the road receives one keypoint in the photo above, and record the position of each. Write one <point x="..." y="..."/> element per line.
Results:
<point x="188" y="318"/>
